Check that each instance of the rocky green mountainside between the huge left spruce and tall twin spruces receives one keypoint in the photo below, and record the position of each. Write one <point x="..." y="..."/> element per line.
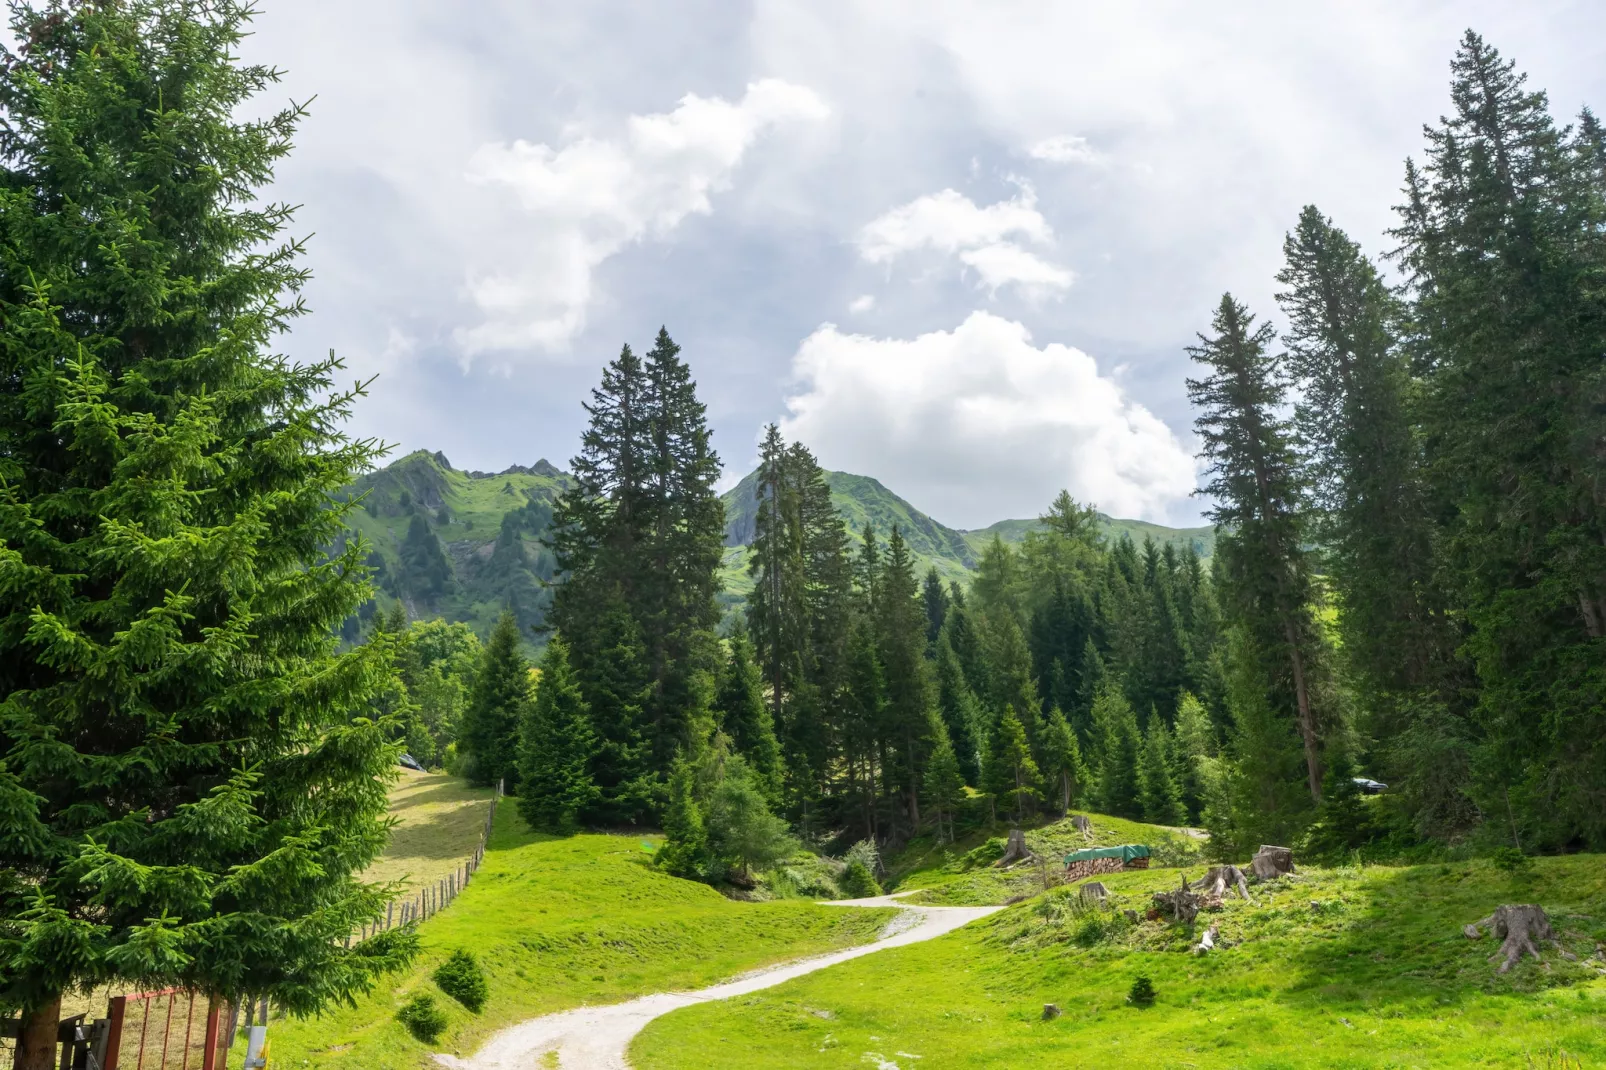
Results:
<point x="459" y="545"/>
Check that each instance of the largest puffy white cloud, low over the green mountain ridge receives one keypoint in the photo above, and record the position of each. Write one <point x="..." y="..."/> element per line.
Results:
<point x="979" y="425"/>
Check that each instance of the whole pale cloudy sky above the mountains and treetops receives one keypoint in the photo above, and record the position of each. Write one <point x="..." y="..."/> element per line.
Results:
<point x="956" y="247"/>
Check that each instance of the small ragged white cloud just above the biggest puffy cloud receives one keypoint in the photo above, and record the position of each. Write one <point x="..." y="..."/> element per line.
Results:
<point x="988" y="240"/>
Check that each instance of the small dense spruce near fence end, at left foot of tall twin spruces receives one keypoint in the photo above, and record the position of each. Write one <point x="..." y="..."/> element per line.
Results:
<point x="556" y="748"/>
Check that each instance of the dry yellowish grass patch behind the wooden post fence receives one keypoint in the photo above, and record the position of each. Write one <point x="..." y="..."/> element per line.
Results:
<point x="439" y="827"/>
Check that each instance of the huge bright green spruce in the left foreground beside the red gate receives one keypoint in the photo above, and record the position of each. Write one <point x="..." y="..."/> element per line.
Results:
<point x="192" y="786"/>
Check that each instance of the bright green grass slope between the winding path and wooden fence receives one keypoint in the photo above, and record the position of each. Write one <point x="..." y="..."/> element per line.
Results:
<point x="565" y="921"/>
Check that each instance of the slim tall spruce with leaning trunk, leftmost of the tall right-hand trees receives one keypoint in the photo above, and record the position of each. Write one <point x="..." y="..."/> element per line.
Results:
<point x="1257" y="486"/>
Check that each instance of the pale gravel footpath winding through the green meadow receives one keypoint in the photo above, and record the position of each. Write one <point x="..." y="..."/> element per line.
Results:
<point x="597" y="1039"/>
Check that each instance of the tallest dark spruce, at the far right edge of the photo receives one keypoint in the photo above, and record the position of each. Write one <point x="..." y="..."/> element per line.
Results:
<point x="1502" y="239"/>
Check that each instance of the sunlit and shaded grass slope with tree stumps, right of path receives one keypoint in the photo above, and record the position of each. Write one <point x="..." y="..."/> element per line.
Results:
<point x="1342" y="968"/>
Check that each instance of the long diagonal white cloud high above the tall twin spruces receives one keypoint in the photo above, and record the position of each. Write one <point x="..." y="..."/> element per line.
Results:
<point x="593" y="197"/>
